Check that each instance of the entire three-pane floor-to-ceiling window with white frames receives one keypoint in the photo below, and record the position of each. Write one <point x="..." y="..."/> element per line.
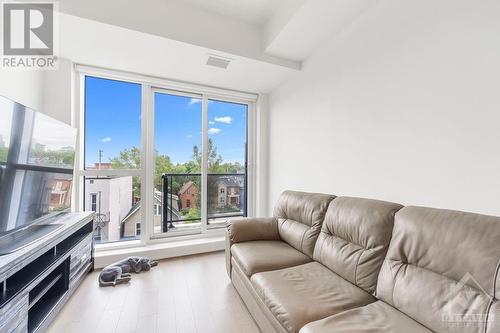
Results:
<point x="159" y="163"/>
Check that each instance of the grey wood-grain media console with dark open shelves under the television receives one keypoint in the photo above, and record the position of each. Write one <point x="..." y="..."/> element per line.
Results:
<point x="38" y="279"/>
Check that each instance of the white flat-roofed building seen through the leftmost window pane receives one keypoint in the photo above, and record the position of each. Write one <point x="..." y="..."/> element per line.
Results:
<point x="111" y="199"/>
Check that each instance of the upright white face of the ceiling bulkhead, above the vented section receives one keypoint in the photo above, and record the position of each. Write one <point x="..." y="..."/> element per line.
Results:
<point x="181" y="21"/>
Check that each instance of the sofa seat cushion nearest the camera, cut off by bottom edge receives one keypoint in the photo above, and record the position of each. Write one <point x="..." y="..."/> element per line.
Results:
<point x="376" y="317"/>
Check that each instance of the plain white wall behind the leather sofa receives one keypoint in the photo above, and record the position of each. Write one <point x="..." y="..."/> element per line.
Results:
<point x="402" y="105"/>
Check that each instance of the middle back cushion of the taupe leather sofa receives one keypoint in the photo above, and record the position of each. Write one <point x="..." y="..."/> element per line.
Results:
<point x="355" y="237"/>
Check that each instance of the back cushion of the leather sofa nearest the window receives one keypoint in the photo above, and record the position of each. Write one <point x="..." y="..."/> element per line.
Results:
<point x="300" y="216"/>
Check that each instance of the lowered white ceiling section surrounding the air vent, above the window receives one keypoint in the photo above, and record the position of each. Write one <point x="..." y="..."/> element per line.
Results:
<point x="103" y="45"/>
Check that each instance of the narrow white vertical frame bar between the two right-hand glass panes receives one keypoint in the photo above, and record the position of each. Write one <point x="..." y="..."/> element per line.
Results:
<point x="204" y="163"/>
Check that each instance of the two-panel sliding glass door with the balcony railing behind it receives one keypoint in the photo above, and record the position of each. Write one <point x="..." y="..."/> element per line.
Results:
<point x="200" y="148"/>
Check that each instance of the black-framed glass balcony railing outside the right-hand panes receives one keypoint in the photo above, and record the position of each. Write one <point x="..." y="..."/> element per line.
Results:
<point x="181" y="198"/>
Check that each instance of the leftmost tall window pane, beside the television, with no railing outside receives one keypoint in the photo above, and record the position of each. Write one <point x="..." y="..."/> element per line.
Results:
<point x="112" y="157"/>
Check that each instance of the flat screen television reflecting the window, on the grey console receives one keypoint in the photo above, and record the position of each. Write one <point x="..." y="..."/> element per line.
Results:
<point x="36" y="168"/>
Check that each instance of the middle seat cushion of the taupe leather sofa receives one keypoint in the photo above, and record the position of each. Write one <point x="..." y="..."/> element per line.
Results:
<point x="302" y="294"/>
